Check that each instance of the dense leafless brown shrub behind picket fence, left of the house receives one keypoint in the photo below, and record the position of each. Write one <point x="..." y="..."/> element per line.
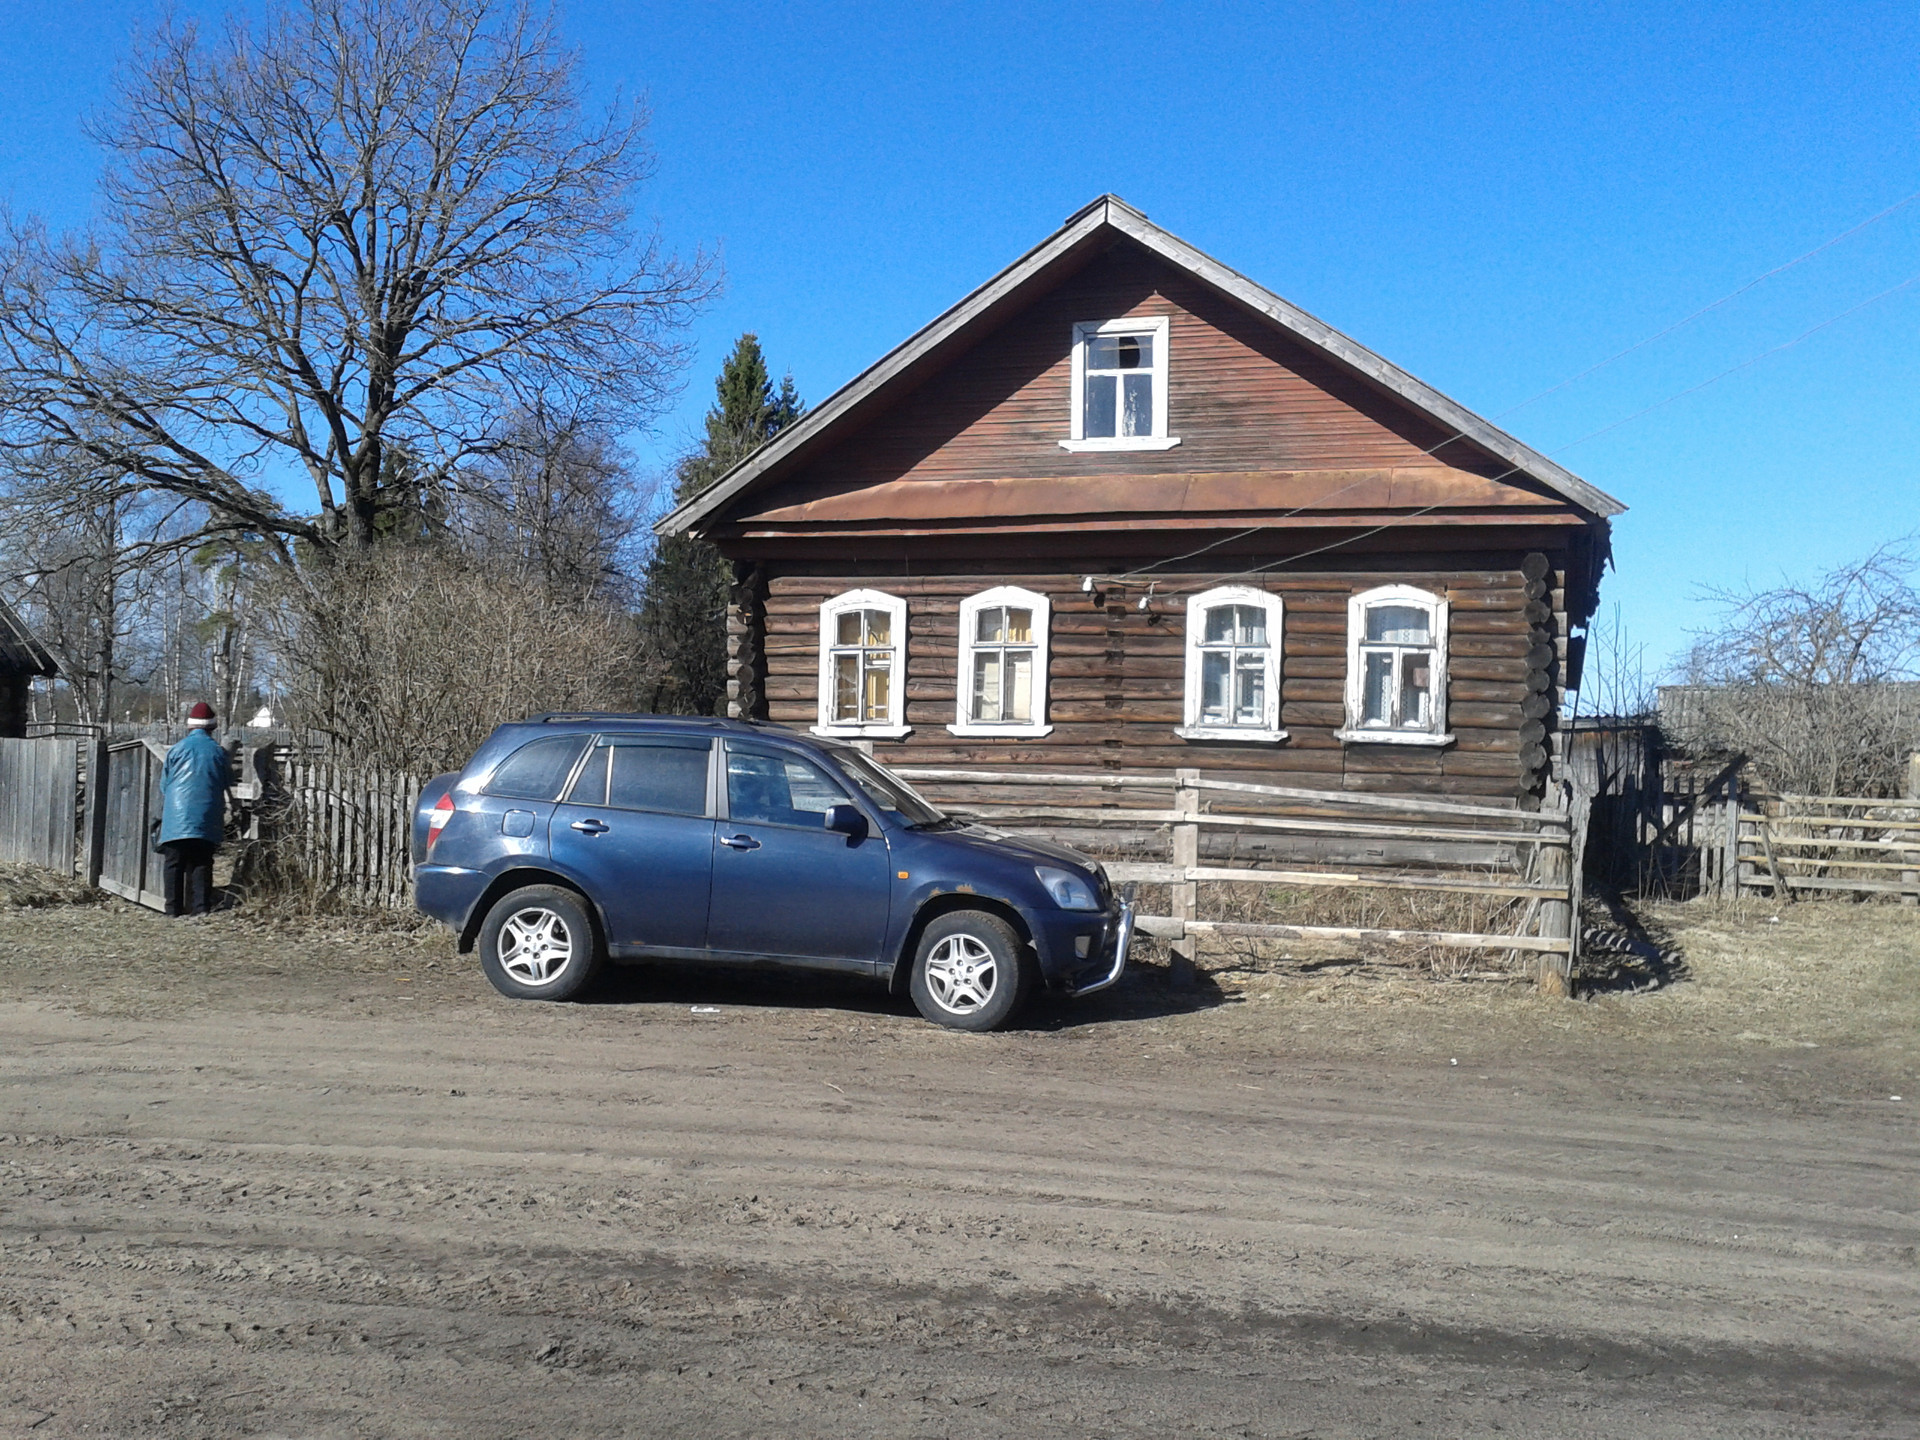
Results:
<point x="412" y="656"/>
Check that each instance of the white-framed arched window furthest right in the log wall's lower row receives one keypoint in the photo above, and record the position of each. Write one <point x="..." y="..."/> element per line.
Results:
<point x="1397" y="667"/>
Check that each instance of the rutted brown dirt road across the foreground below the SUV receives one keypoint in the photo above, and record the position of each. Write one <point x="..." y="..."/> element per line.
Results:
<point x="287" y="1186"/>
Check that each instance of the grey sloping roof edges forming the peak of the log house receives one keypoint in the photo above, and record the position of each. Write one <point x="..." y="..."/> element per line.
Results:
<point x="1028" y="276"/>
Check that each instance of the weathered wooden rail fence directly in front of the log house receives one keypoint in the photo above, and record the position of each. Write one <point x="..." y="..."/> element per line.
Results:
<point x="1408" y="844"/>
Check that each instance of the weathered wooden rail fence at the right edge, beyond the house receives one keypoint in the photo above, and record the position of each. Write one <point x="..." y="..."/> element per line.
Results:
<point x="1831" y="844"/>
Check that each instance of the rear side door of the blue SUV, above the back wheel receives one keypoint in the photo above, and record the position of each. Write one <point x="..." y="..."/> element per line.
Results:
<point x="636" y="830"/>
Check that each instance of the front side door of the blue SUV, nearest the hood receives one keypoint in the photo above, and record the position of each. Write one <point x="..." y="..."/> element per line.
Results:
<point x="784" y="884"/>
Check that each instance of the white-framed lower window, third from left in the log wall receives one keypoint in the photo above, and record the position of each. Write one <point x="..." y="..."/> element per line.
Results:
<point x="1234" y="665"/>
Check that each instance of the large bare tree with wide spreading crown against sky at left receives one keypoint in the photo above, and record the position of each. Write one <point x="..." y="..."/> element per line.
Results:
<point x="356" y="229"/>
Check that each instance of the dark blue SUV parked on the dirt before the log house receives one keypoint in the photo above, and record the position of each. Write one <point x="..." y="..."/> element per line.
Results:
<point x="579" y="838"/>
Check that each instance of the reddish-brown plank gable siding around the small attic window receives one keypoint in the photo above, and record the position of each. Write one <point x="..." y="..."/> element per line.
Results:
<point x="1241" y="396"/>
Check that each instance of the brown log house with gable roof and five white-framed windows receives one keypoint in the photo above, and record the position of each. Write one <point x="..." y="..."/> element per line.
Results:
<point x="1124" y="510"/>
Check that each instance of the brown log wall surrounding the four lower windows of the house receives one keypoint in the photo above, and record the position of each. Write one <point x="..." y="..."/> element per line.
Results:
<point x="1116" y="677"/>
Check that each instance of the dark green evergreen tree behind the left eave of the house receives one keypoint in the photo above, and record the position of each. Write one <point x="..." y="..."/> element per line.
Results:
<point x="684" y="612"/>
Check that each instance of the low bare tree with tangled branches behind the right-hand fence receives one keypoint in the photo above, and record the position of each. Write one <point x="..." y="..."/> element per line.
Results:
<point x="1815" y="684"/>
